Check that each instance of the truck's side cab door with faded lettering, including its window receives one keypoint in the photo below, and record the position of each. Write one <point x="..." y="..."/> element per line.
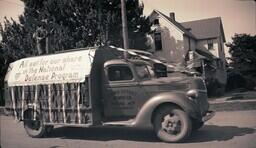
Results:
<point x="121" y="92"/>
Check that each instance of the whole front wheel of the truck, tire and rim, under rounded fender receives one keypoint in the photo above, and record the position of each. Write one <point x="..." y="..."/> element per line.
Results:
<point x="172" y="124"/>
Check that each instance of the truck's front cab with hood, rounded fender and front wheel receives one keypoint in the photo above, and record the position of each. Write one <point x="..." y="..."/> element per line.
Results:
<point x="133" y="92"/>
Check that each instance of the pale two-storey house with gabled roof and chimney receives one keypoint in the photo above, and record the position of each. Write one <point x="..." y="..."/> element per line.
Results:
<point x="200" y="41"/>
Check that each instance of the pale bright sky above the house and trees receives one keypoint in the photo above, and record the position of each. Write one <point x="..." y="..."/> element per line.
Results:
<point x="238" y="16"/>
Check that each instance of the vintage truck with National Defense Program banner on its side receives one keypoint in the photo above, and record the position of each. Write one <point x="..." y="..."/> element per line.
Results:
<point x="98" y="87"/>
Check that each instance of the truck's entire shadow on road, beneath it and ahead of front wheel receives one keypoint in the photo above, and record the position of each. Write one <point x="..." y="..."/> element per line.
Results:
<point x="206" y="134"/>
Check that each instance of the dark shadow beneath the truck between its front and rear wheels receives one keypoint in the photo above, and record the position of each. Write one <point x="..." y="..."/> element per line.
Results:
<point x="104" y="134"/>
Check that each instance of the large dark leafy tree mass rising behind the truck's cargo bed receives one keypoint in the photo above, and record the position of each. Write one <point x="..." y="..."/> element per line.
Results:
<point x="77" y="23"/>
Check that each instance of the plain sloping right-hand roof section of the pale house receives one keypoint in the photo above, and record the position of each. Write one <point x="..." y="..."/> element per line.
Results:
<point x="206" y="28"/>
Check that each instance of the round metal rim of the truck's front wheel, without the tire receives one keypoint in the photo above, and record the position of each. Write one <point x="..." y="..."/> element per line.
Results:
<point x="172" y="124"/>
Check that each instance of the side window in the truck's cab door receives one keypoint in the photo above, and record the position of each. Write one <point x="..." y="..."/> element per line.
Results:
<point x="119" y="73"/>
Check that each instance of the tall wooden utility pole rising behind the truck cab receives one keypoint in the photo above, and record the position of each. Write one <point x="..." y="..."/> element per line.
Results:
<point x="124" y="27"/>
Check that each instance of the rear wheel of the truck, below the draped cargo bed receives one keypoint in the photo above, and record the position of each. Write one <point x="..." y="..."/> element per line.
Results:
<point x="35" y="129"/>
